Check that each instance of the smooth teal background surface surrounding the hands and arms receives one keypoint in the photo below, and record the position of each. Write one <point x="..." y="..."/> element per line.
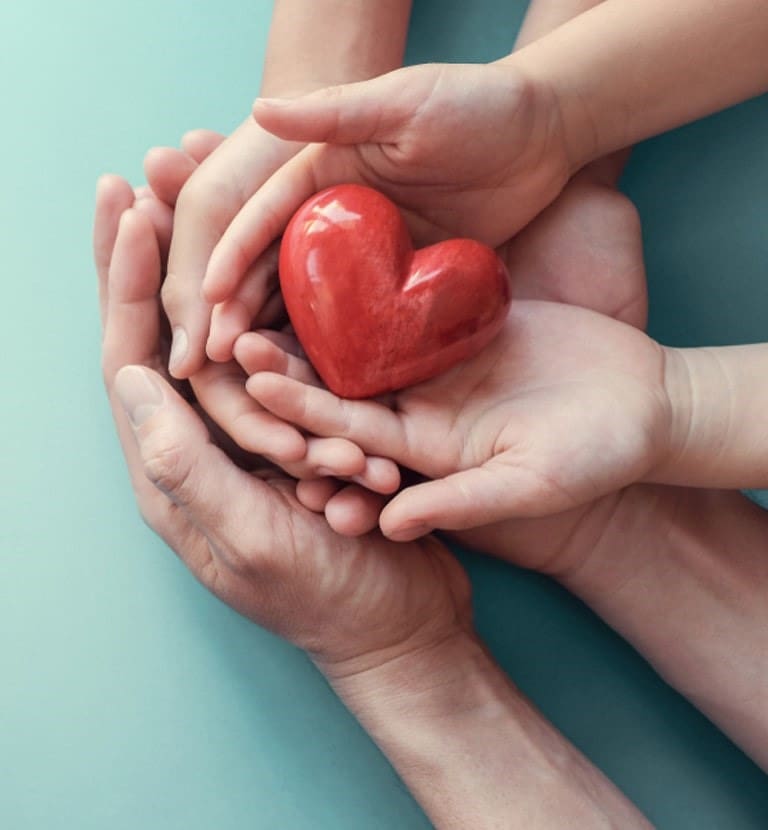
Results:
<point x="129" y="697"/>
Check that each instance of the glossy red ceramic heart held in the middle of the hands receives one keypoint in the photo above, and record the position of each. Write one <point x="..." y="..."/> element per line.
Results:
<point x="372" y="314"/>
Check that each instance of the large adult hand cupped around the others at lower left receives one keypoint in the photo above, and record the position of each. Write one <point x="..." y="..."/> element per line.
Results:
<point x="350" y="603"/>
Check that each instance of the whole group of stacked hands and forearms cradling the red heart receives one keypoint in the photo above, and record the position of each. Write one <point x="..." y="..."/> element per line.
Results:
<point x="571" y="445"/>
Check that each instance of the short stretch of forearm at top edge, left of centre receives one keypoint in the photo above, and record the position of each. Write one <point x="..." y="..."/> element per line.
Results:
<point x="326" y="42"/>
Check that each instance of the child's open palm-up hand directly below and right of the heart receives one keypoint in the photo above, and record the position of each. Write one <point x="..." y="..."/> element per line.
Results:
<point x="564" y="406"/>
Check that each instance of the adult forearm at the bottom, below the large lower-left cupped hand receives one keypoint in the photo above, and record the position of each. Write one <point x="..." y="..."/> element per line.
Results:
<point x="473" y="750"/>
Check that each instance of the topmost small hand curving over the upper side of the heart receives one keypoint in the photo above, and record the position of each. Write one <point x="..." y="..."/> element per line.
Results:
<point x="464" y="151"/>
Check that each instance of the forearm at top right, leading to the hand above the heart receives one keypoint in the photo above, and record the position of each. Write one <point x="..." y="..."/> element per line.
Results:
<point x="624" y="71"/>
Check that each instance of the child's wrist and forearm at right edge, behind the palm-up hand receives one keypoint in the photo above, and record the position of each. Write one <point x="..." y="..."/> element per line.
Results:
<point x="718" y="436"/>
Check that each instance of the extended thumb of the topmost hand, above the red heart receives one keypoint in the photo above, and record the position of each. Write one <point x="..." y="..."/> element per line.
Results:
<point x="368" y="111"/>
